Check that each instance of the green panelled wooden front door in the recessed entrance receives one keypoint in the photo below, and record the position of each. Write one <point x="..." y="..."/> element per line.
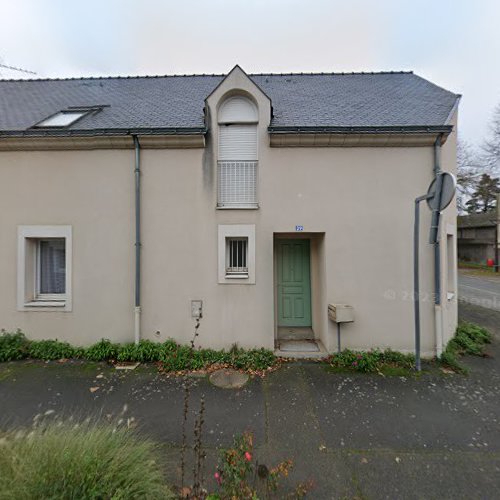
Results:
<point x="294" y="283"/>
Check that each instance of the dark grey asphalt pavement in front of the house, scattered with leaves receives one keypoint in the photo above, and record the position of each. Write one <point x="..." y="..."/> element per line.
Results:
<point x="356" y="436"/>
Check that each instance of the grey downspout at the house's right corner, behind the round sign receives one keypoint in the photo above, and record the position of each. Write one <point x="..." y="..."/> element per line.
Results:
<point x="435" y="239"/>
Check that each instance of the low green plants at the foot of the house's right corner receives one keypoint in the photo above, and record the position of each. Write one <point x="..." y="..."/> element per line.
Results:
<point x="469" y="339"/>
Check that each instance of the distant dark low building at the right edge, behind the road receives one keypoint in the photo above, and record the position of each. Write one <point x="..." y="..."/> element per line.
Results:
<point x="478" y="237"/>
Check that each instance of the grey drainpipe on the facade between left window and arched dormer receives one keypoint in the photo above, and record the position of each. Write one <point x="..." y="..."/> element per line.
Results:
<point x="137" y="175"/>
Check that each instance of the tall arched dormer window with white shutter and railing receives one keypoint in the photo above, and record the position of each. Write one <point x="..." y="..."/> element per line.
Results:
<point x="237" y="159"/>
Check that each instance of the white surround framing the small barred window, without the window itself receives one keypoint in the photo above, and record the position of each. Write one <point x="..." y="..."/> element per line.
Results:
<point x="236" y="231"/>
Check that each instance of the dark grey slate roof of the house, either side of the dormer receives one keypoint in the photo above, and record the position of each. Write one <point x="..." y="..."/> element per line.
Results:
<point x="395" y="99"/>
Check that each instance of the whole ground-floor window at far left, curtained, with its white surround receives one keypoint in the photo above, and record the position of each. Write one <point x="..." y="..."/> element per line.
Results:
<point x="44" y="267"/>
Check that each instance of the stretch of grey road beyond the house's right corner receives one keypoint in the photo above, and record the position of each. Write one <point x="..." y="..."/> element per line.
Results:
<point x="479" y="290"/>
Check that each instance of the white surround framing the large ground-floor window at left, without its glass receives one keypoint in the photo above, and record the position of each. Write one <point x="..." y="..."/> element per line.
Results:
<point x="26" y="277"/>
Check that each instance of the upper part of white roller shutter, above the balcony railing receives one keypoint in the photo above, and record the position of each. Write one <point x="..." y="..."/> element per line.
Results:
<point x="237" y="142"/>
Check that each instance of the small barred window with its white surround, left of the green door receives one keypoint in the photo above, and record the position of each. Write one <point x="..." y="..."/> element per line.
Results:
<point x="237" y="253"/>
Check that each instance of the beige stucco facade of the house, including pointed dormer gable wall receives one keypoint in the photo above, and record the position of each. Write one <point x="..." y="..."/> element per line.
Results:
<point x="354" y="203"/>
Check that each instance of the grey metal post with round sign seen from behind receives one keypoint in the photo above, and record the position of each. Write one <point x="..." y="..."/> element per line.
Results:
<point x="437" y="201"/>
